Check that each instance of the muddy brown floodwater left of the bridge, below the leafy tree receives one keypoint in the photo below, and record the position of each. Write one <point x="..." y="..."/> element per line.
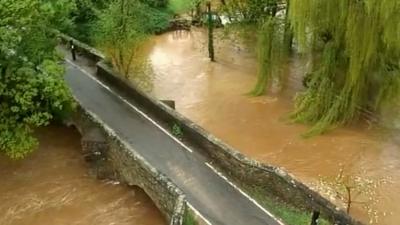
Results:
<point x="52" y="187"/>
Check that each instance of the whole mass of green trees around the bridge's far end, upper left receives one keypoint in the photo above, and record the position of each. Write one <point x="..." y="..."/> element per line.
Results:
<point x="32" y="89"/>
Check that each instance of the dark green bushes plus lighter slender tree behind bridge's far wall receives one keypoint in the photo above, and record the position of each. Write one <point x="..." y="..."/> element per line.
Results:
<point x="119" y="28"/>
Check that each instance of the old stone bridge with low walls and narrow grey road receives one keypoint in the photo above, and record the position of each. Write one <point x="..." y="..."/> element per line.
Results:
<point x="126" y="136"/>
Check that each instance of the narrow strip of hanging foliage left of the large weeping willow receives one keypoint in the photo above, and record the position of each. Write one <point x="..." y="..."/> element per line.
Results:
<point x="274" y="38"/>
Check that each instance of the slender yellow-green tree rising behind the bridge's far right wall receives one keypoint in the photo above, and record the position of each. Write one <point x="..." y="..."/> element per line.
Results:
<point x="121" y="30"/>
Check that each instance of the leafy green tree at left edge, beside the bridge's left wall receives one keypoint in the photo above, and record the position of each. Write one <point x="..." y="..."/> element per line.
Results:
<point x="32" y="89"/>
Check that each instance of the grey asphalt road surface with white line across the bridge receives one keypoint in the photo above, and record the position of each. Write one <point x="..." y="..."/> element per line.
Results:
<point x="217" y="200"/>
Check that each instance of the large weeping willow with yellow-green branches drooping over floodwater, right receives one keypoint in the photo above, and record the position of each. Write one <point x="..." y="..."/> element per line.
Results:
<point x="355" y="49"/>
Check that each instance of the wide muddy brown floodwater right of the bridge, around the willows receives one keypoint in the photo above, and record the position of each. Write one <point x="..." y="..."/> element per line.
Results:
<point x="214" y="96"/>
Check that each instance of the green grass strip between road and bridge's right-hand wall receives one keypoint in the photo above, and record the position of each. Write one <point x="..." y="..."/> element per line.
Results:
<point x="288" y="214"/>
